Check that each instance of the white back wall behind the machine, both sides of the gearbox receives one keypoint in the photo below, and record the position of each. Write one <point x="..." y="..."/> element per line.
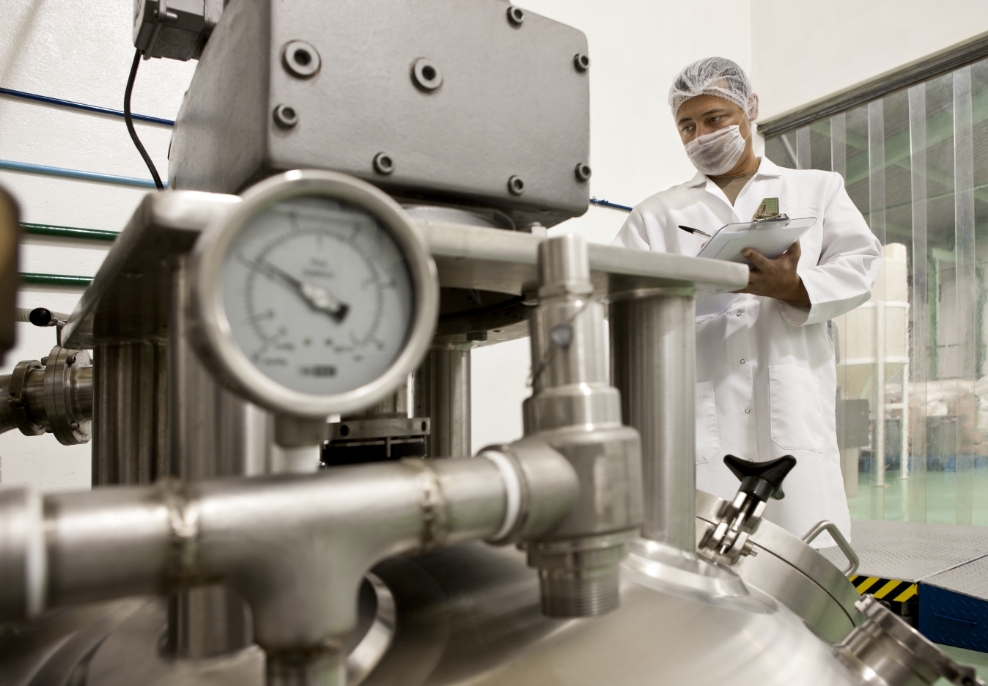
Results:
<point x="636" y="48"/>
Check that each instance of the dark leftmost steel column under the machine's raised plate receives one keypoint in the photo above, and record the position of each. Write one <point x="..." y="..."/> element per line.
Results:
<point x="129" y="409"/>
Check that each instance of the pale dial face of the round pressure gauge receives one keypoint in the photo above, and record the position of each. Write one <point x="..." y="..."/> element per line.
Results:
<point x="317" y="295"/>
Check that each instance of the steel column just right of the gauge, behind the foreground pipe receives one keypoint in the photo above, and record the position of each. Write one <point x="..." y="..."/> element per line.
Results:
<point x="442" y="393"/>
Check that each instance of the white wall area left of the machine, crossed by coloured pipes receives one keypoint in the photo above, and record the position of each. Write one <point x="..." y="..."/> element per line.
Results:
<point x="77" y="51"/>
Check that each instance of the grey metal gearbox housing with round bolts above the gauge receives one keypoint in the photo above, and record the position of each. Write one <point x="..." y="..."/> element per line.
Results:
<point x="447" y="101"/>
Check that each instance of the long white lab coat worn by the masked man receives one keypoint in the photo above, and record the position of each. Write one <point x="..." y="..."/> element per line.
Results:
<point x="766" y="378"/>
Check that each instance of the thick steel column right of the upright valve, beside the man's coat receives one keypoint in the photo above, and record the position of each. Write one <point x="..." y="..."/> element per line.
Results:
<point x="653" y="353"/>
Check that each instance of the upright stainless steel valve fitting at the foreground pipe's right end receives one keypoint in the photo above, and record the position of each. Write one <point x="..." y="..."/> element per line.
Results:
<point x="578" y="413"/>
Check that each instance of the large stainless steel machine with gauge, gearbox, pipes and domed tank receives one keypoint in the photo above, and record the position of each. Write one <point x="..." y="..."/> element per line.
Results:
<point x="278" y="397"/>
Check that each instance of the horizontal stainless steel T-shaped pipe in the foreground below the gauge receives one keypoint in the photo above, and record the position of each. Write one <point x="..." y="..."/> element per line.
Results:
<point x="301" y="581"/>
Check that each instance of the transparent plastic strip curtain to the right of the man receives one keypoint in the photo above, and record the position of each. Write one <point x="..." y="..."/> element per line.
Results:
<point x="913" y="384"/>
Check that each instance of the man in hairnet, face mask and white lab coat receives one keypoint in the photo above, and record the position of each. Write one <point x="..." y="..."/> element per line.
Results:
<point x="766" y="377"/>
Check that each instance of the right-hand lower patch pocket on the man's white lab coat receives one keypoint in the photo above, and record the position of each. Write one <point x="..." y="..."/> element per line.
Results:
<point x="797" y="423"/>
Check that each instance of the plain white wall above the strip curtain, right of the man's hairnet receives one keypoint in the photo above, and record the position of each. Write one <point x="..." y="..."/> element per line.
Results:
<point x="804" y="51"/>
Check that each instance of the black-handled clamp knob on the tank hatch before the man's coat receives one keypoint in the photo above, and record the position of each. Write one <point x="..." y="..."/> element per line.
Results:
<point x="727" y="540"/>
